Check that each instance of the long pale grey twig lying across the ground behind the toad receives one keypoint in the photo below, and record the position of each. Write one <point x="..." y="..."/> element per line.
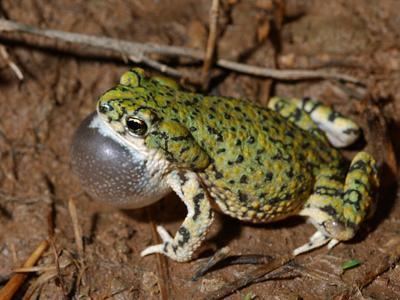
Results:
<point x="132" y="48"/>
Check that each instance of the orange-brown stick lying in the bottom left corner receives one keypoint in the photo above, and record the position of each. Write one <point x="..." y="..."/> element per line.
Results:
<point x="12" y="286"/>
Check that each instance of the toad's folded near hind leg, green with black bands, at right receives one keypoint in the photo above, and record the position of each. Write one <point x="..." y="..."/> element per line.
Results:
<point x="336" y="210"/>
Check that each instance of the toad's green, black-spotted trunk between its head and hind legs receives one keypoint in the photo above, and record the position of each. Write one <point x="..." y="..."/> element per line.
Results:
<point x="263" y="167"/>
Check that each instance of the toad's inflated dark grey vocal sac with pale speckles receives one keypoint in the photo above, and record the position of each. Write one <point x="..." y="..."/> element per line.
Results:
<point x="111" y="171"/>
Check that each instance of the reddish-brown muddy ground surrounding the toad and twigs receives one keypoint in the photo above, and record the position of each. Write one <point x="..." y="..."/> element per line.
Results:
<point x="61" y="83"/>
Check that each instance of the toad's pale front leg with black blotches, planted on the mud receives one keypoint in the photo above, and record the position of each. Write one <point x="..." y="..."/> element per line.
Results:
<point x="193" y="230"/>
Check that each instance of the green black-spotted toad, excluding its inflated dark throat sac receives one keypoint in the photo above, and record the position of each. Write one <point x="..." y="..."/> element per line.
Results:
<point x="256" y="164"/>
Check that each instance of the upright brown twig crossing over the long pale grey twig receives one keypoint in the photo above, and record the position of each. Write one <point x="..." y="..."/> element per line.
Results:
<point x="211" y="43"/>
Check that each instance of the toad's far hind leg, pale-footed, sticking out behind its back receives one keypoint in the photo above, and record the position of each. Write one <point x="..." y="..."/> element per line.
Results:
<point x="316" y="117"/>
